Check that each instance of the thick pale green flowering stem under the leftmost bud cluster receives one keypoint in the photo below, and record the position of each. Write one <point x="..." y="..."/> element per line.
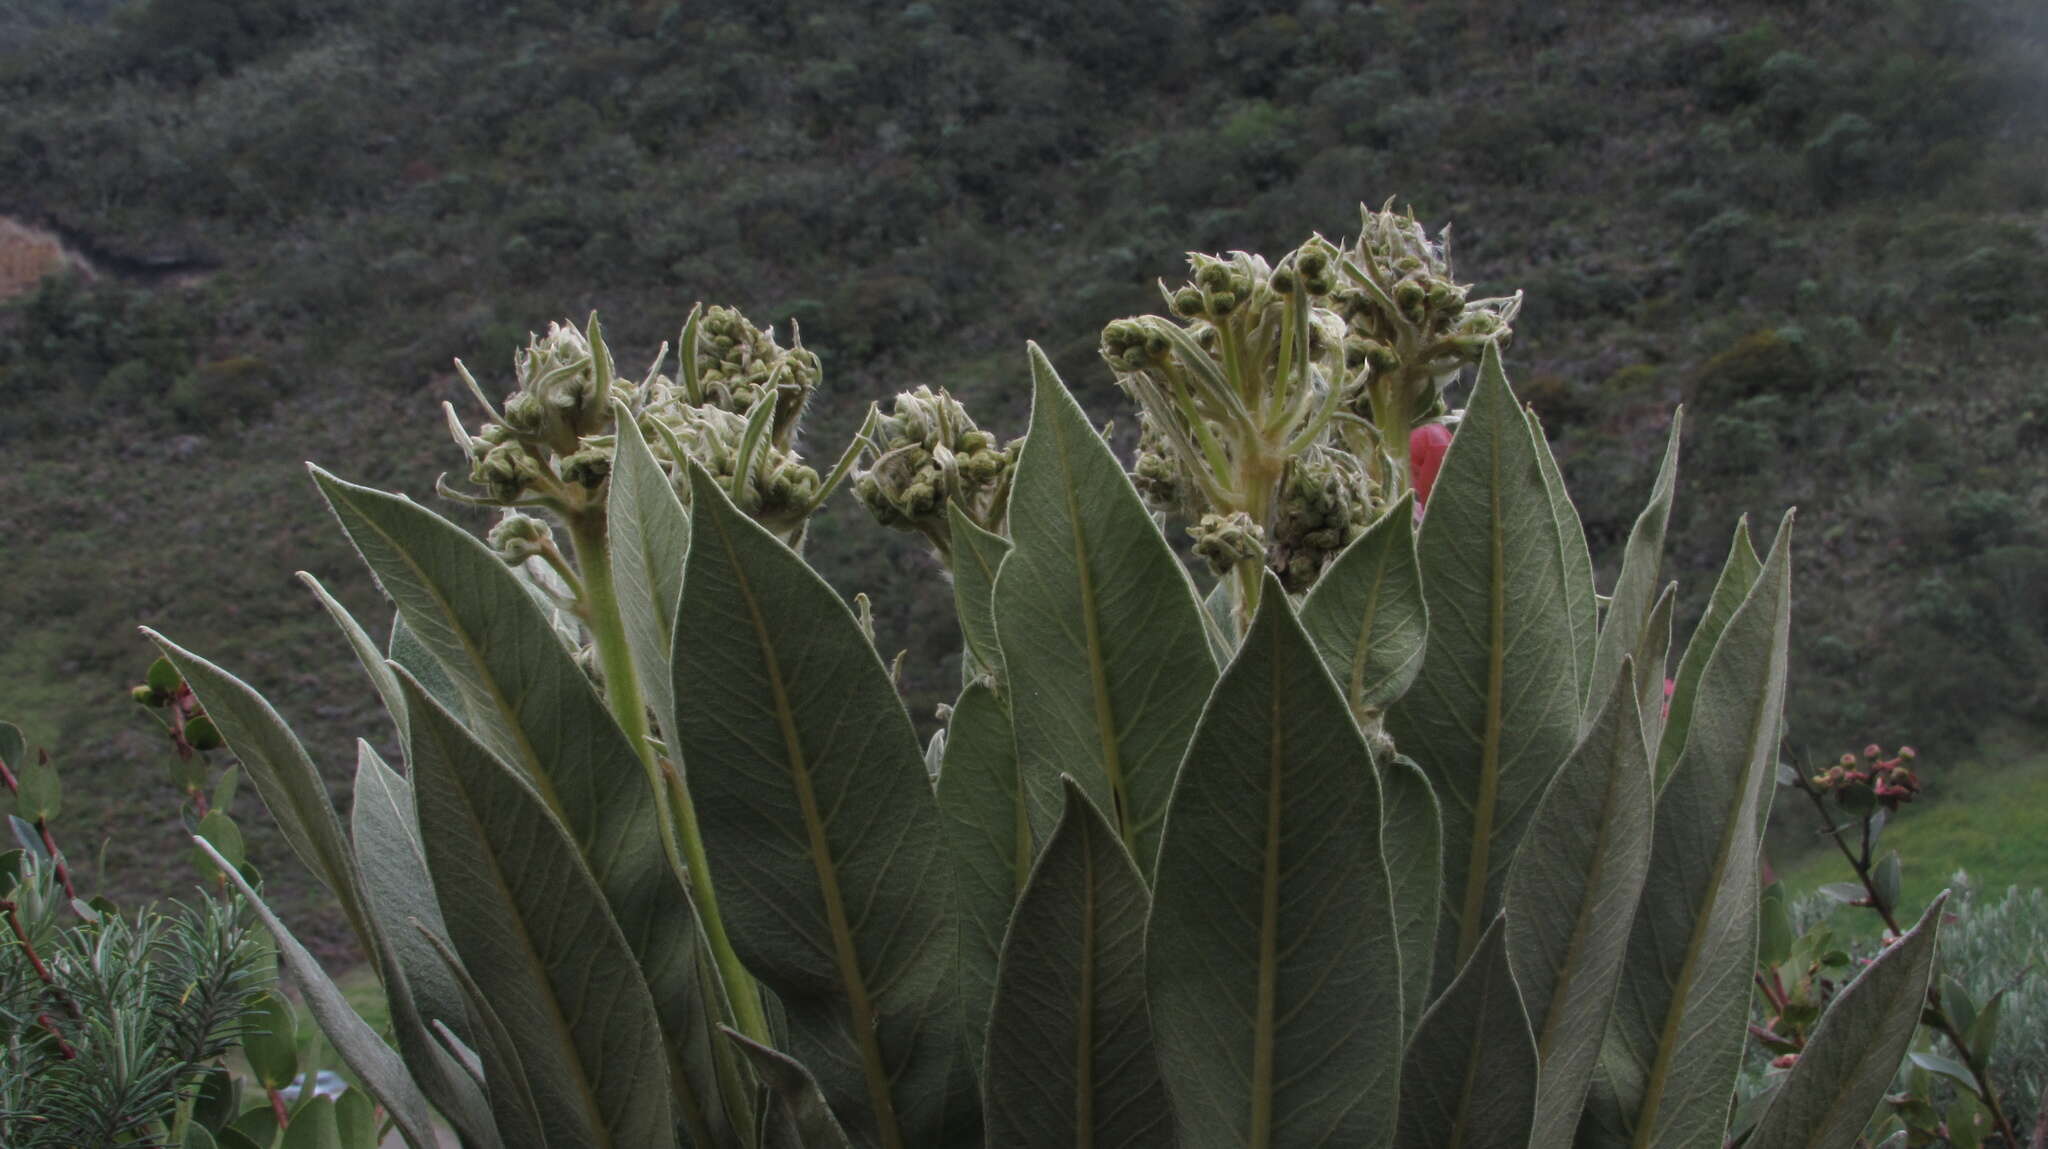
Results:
<point x="628" y="704"/>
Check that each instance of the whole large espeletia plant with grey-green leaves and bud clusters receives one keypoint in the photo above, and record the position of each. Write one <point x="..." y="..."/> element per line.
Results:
<point x="1371" y="828"/>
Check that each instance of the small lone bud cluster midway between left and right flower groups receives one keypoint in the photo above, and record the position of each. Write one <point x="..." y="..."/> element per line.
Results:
<point x="927" y="454"/>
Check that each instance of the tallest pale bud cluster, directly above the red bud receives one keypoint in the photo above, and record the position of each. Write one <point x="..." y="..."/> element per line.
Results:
<point x="1410" y="321"/>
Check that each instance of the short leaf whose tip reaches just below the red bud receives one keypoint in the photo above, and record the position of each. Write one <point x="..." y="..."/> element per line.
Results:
<point x="1367" y="613"/>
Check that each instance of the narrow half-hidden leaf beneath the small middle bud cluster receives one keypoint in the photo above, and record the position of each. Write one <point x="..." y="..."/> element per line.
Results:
<point x="988" y="841"/>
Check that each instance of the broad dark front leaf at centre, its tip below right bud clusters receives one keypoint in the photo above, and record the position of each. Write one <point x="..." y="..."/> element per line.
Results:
<point x="1271" y="955"/>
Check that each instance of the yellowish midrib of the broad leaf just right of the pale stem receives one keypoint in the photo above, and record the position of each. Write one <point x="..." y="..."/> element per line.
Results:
<point x="828" y="878"/>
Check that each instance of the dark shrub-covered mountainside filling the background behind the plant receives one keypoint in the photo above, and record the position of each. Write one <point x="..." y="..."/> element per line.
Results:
<point x="1820" y="226"/>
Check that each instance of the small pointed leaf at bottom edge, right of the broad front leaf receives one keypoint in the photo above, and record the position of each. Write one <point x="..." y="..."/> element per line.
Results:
<point x="1469" y="1076"/>
